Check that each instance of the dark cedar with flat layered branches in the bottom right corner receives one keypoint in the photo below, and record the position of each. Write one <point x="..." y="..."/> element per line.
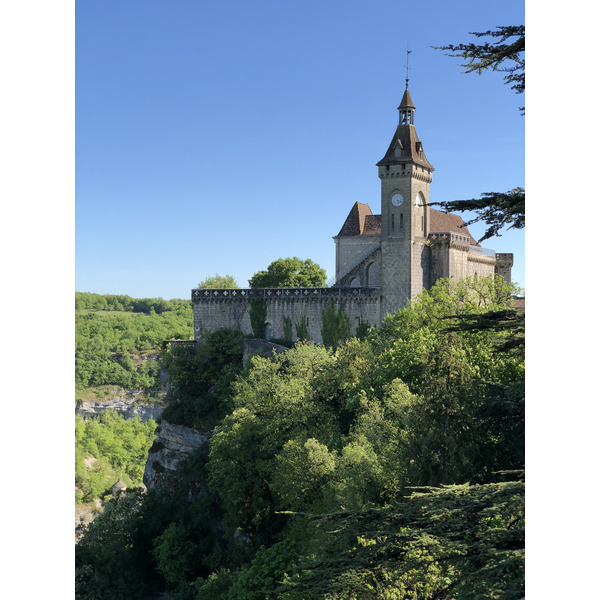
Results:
<point x="458" y="541"/>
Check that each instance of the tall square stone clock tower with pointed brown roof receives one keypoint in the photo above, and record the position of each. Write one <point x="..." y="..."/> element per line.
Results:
<point x="405" y="175"/>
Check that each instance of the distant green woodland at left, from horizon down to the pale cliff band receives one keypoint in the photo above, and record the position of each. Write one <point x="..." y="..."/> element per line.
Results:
<point x="117" y="338"/>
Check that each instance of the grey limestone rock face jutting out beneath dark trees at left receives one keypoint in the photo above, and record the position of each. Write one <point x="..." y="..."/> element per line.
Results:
<point x="171" y="448"/>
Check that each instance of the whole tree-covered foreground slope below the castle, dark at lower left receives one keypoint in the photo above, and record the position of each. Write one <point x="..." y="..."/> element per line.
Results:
<point x="391" y="468"/>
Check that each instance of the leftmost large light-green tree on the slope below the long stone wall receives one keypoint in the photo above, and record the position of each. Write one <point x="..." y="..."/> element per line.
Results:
<point x="274" y="402"/>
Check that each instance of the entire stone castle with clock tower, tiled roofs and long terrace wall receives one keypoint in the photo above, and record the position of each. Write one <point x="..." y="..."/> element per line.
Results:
<point x="382" y="260"/>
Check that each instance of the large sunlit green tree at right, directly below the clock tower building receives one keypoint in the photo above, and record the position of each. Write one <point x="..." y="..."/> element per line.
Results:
<point x="452" y="432"/>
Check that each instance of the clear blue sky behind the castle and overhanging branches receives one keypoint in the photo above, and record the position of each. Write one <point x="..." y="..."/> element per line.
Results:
<point x="217" y="137"/>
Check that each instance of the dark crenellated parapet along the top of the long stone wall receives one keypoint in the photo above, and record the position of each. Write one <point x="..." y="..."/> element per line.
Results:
<point x="201" y="295"/>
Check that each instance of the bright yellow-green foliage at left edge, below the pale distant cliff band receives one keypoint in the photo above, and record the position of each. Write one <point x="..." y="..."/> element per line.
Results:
<point x="108" y="448"/>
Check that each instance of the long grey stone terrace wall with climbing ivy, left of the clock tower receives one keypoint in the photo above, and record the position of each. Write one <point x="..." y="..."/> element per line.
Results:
<point x="214" y="309"/>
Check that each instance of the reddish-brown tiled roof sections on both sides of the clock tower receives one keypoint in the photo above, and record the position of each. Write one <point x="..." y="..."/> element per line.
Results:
<point x="362" y="221"/>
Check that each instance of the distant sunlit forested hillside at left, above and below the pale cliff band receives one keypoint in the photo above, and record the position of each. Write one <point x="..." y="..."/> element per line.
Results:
<point x="119" y="345"/>
